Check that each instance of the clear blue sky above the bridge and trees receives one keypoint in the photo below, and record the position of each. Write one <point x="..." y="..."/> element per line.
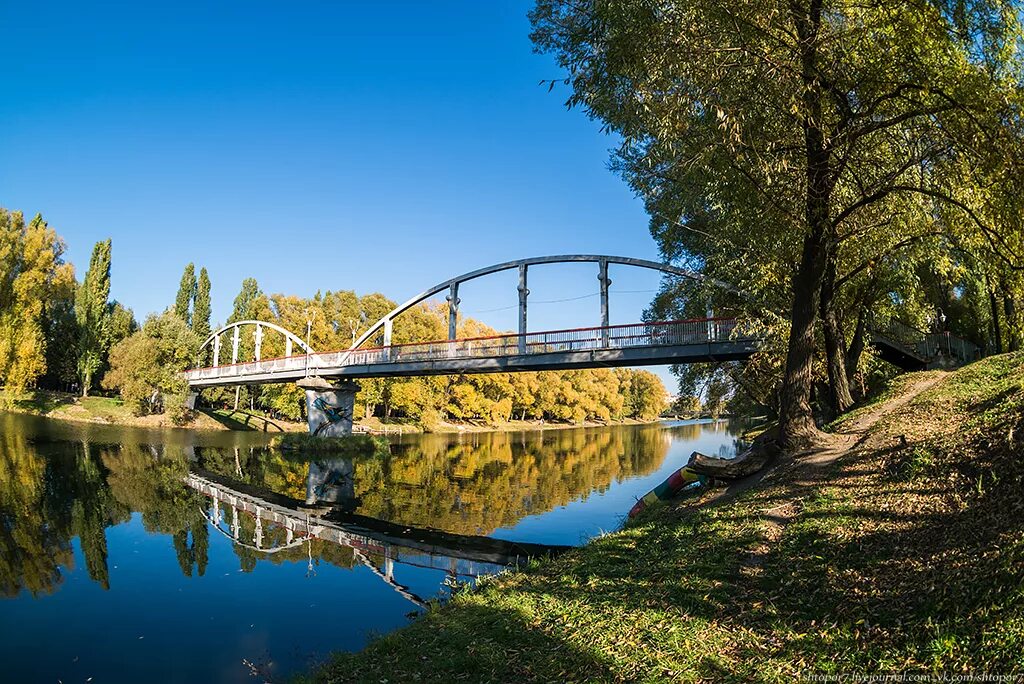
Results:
<point x="313" y="146"/>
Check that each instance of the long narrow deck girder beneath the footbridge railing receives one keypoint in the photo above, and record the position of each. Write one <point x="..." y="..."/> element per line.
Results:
<point x="265" y="373"/>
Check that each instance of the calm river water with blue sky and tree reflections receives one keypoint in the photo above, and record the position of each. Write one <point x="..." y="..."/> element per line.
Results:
<point x="132" y="555"/>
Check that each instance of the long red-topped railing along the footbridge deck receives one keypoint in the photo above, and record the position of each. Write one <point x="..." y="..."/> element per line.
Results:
<point x="674" y="333"/>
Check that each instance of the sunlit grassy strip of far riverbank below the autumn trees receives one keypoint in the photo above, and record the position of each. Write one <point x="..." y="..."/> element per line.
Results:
<point x="109" y="411"/>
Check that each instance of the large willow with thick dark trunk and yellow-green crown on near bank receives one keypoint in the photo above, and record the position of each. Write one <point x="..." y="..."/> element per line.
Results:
<point x="762" y="135"/>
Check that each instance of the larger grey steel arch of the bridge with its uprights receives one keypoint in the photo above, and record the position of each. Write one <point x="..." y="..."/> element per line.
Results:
<point x="452" y="286"/>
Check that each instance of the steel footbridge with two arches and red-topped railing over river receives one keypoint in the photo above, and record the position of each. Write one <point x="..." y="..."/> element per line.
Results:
<point x="710" y="339"/>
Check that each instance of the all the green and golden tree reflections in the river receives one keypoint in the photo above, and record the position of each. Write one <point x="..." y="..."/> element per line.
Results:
<point x="472" y="485"/>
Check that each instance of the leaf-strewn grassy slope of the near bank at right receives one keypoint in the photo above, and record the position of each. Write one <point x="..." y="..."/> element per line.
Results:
<point x="898" y="547"/>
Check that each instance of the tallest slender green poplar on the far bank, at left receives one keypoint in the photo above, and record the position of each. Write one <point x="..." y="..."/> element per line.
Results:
<point x="93" y="314"/>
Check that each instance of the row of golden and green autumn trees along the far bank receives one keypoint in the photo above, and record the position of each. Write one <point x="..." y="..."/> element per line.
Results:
<point x="58" y="333"/>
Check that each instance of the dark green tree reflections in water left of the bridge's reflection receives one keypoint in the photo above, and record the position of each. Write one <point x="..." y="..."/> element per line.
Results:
<point x="52" y="493"/>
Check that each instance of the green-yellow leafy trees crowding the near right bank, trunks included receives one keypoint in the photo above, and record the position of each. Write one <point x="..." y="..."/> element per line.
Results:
<point x="843" y="164"/>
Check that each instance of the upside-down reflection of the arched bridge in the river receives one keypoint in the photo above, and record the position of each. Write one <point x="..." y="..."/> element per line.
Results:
<point x="329" y="520"/>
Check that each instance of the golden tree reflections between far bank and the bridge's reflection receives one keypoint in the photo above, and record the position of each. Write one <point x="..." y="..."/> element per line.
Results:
<point x="472" y="485"/>
